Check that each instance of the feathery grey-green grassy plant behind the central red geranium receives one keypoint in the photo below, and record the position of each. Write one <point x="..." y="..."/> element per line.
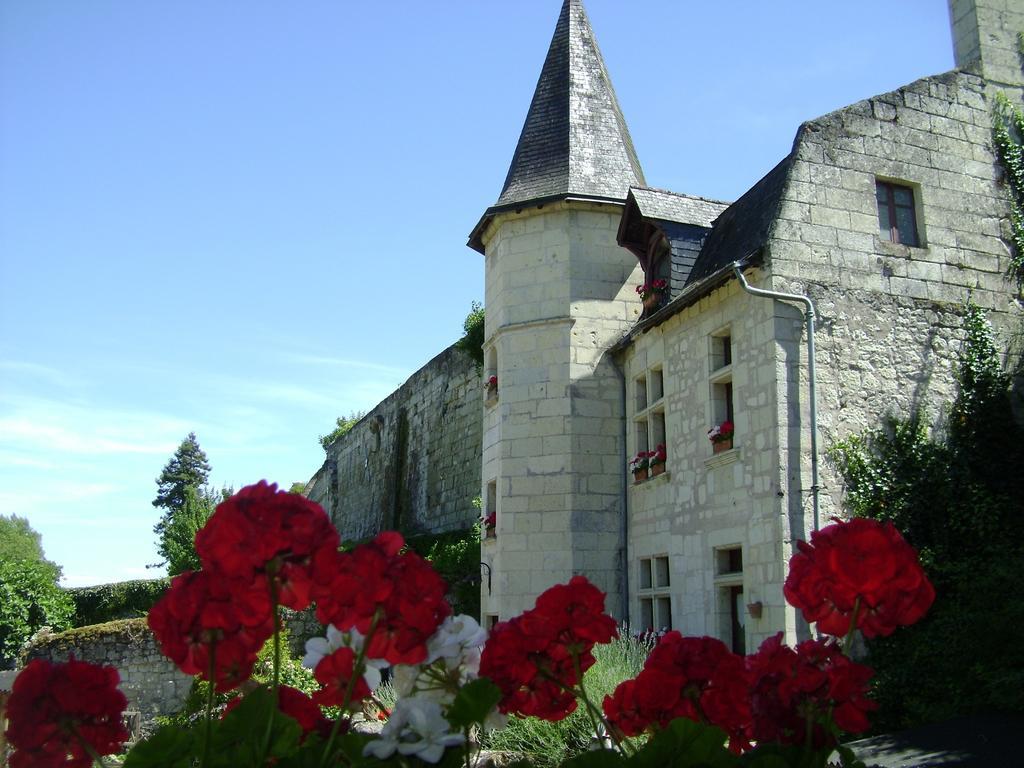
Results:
<point x="548" y="744"/>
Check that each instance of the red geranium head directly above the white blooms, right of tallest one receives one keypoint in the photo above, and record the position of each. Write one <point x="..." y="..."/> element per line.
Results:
<point x="398" y="593"/>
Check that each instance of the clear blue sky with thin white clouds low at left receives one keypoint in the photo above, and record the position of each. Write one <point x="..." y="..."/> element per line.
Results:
<point x="245" y="219"/>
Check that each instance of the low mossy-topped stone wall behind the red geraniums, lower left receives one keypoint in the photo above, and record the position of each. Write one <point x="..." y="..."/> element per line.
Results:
<point x="150" y="680"/>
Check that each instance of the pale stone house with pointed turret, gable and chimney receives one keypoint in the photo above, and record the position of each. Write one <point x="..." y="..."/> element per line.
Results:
<point x="885" y="218"/>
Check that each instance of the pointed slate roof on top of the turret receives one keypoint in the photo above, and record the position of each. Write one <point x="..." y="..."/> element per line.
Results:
<point x="575" y="142"/>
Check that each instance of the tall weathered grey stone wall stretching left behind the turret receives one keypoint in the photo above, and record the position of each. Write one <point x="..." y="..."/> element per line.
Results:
<point x="413" y="463"/>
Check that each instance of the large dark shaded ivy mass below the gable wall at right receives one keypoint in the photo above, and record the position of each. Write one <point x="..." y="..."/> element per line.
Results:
<point x="957" y="499"/>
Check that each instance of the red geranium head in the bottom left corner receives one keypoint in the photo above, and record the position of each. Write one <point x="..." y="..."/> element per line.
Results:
<point x="56" y="709"/>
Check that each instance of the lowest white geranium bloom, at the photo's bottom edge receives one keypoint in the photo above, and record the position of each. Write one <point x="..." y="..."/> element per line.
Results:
<point x="416" y="728"/>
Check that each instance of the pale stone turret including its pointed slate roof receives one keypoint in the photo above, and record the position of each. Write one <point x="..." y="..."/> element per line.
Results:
<point x="560" y="292"/>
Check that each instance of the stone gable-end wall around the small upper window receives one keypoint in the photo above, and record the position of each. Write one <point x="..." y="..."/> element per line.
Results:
<point x="890" y="324"/>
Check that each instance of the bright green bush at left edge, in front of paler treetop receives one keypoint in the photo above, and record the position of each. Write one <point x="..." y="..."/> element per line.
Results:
<point x="30" y="599"/>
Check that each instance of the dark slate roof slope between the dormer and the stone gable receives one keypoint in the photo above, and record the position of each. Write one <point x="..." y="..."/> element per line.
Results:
<point x="744" y="227"/>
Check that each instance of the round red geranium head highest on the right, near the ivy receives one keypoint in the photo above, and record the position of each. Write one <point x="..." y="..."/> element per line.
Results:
<point x="863" y="564"/>
